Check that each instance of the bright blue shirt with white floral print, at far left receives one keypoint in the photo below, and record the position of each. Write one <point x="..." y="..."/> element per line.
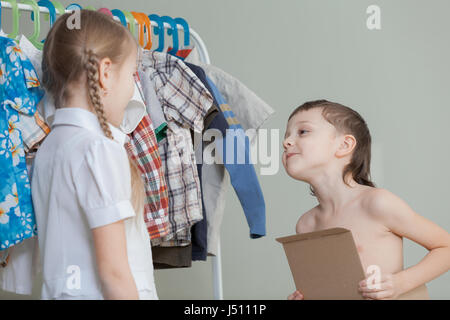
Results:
<point x="19" y="92"/>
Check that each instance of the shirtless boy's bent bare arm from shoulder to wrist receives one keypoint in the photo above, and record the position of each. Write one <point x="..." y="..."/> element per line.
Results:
<point x="400" y="219"/>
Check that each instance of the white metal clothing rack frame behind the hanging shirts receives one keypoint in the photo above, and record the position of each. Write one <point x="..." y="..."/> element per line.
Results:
<point x="204" y="58"/>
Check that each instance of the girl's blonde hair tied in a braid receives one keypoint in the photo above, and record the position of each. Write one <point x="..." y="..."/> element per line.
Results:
<point x="73" y="55"/>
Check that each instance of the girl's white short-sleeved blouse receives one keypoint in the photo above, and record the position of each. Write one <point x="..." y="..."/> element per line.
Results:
<point x="81" y="180"/>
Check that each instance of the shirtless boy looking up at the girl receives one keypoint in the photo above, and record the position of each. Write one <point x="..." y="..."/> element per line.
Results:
<point x="327" y="145"/>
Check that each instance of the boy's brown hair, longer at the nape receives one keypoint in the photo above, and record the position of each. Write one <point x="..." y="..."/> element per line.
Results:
<point x="347" y="121"/>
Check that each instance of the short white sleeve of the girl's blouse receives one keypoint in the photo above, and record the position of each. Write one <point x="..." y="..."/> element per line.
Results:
<point x="103" y="184"/>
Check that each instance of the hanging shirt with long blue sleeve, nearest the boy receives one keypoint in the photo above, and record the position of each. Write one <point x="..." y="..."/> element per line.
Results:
<point x="241" y="171"/>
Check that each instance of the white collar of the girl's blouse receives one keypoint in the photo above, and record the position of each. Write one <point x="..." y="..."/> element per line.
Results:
<point x="85" y="119"/>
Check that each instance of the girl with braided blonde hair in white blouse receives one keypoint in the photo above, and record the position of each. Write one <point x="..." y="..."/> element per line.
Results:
<point x="87" y="194"/>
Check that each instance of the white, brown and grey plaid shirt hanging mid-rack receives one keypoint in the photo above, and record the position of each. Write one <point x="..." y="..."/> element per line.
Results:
<point x="185" y="102"/>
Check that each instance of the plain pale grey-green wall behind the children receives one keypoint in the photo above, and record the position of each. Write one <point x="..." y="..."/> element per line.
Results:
<point x="292" y="51"/>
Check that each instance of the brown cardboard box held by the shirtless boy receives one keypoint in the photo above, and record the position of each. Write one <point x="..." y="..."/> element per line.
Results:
<point x="325" y="265"/>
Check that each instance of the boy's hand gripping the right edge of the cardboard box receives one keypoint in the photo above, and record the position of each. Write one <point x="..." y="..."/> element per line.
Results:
<point x="385" y="288"/>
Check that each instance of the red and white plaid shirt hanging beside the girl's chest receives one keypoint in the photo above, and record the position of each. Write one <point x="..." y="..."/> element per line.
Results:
<point x="143" y="148"/>
